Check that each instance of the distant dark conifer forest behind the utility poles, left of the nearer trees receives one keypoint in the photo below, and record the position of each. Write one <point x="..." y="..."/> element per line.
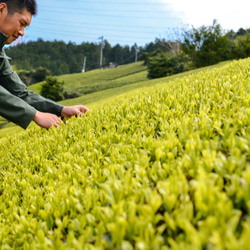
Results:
<point x="61" y="58"/>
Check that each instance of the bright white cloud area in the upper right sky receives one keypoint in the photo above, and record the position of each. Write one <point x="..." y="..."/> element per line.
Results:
<point x="230" y="14"/>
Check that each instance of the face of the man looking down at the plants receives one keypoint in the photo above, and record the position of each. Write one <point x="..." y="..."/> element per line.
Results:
<point x="14" y="25"/>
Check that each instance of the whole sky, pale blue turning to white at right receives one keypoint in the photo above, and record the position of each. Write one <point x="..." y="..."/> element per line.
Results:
<point x="130" y="22"/>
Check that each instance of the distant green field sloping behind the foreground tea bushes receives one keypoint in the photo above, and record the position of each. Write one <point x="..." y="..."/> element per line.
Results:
<point x="103" y="84"/>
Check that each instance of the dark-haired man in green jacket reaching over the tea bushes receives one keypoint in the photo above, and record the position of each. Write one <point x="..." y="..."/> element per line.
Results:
<point x="17" y="104"/>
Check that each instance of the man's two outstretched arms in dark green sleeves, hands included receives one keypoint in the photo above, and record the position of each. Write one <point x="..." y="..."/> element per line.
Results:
<point x="21" y="106"/>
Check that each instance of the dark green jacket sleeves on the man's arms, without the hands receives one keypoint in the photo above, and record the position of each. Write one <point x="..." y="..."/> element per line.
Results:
<point x="17" y="104"/>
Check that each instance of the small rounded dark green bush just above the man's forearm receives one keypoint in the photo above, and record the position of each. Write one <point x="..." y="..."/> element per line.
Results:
<point x="53" y="89"/>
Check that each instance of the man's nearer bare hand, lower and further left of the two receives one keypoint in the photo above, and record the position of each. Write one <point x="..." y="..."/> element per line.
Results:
<point x="46" y="120"/>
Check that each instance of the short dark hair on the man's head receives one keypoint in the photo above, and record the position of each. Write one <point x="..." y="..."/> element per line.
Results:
<point x="20" y="5"/>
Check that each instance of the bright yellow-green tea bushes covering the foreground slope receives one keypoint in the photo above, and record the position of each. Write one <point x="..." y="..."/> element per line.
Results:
<point x="166" y="167"/>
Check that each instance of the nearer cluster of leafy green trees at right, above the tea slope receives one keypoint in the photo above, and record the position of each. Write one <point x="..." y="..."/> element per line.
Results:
<point x="197" y="48"/>
